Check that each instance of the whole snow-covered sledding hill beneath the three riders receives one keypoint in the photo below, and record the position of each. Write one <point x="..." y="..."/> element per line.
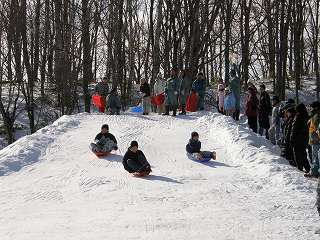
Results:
<point x="53" y="187"/>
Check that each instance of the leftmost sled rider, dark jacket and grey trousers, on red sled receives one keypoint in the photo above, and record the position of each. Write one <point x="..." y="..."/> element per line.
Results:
<point x="104" y="141"/>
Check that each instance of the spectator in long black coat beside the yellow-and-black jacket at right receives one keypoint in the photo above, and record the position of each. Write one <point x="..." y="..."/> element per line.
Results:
<point x="299" y="138"/>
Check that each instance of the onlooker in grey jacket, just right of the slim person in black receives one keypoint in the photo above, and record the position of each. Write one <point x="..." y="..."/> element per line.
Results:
<point x="275" y="129"/>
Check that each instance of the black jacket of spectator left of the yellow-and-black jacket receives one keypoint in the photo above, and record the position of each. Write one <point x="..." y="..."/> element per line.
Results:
<point x="299" y="133"/>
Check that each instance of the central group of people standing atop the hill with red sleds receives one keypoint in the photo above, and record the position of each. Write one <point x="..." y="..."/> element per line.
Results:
<point x="175" y="91"/>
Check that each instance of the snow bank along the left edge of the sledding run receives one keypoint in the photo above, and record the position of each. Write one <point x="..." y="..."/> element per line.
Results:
<point x="30" y="149"/>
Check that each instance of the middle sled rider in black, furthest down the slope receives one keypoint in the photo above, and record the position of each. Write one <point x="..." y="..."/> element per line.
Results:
<point x="134" y="161"/>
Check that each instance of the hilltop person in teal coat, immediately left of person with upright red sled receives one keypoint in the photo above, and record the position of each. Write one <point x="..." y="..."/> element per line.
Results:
<point x="184" y="90"/>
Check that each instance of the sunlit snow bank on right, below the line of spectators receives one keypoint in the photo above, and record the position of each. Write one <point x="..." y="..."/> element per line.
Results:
<point x="256" y="154"/>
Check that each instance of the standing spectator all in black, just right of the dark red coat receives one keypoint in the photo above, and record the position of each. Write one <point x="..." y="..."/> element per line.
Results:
<point x="264" y="111"/>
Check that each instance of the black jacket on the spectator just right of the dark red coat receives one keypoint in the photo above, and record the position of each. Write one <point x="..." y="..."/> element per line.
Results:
<point x="265" y="109"/>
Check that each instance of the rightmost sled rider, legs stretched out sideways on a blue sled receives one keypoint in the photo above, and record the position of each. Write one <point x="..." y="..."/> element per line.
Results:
<point x="194" y="148"/>
